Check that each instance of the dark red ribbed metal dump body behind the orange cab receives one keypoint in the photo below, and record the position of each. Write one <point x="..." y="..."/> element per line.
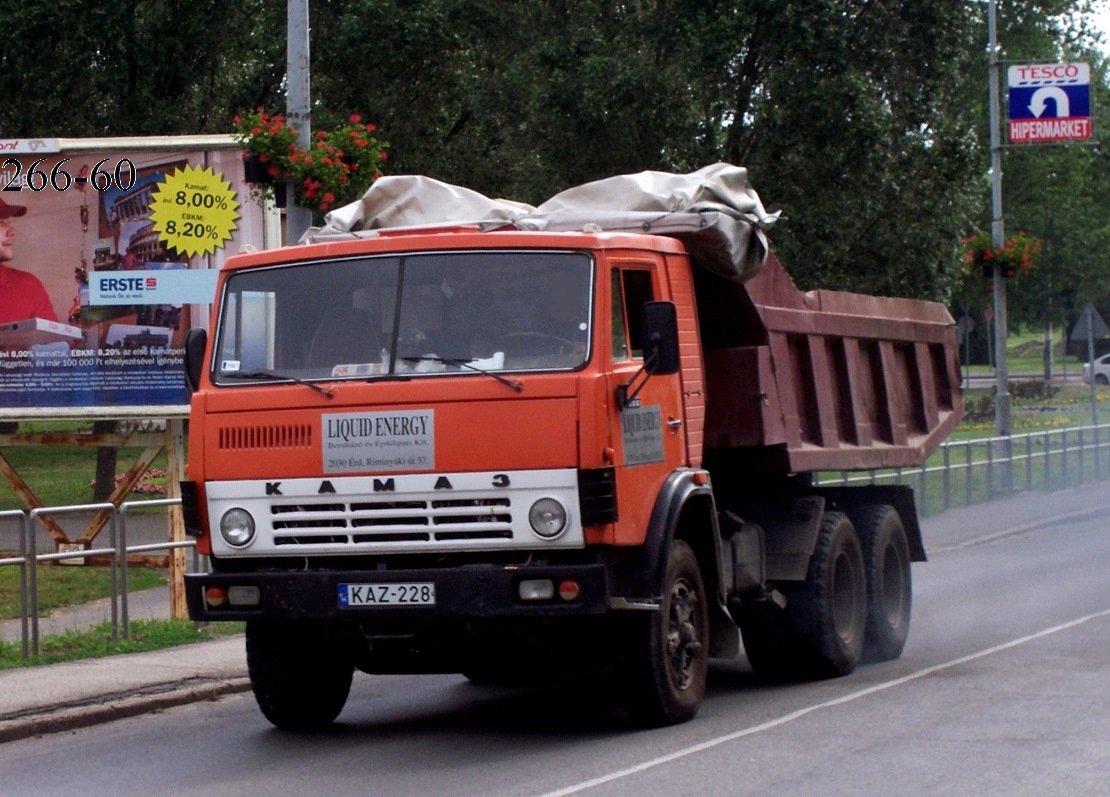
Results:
<point x="825" y="380"/>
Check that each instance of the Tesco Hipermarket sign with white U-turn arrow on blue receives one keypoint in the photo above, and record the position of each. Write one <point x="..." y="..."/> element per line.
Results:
<point x="1050" y="103"/>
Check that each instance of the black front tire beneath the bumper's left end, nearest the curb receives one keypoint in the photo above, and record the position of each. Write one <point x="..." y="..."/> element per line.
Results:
<point x="300" y="674"/>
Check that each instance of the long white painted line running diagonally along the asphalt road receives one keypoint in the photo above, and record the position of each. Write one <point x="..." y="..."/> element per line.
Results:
<point x="710" y="744"/>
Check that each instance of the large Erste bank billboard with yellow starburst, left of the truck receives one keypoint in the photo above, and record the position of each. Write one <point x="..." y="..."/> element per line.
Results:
<point x="107" y="259"/>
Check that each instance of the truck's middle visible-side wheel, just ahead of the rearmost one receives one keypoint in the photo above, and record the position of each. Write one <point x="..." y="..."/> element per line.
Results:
<point x="829" y="613"/>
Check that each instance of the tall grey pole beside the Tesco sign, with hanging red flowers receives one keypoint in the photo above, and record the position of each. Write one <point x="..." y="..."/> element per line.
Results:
<point x="998" y="237"/>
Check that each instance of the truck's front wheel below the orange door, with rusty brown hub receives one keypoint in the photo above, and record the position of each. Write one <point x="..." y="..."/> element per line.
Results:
<point x="665" y="677"/>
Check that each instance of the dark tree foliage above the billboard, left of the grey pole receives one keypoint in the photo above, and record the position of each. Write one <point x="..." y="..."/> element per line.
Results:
<point x="75" y="68"/>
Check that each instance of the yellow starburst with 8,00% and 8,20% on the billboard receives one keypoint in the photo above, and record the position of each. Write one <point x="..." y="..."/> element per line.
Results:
<point x="195" y="211"/>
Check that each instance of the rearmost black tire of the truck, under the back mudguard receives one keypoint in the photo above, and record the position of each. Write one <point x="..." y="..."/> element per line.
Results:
<point x="890" y="587"/>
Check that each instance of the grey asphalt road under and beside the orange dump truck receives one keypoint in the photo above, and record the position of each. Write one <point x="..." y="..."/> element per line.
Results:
<point x="1004" y="689"/>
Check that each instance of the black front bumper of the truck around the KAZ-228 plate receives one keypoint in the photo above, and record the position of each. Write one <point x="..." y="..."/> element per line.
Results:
<point x="468" y="592"/>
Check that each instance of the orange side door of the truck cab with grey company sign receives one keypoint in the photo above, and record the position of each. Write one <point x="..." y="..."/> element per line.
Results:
<point x="649" y="435"/>
